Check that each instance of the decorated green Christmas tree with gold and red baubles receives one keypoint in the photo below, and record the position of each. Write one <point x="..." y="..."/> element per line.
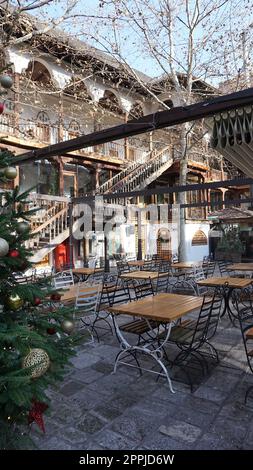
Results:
<point x="36" y="337"/>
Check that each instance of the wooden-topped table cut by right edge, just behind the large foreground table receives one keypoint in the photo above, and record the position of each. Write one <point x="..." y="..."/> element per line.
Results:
<point x="227" y="284"/>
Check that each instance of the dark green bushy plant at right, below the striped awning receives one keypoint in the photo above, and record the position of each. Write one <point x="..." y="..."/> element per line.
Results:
<point x="230" y="247"/>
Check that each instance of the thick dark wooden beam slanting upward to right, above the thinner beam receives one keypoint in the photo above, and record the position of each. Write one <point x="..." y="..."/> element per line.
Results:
<point x="159" y="120"/>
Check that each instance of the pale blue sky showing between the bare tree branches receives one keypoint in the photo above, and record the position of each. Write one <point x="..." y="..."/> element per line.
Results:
<point x="136" y="56"/>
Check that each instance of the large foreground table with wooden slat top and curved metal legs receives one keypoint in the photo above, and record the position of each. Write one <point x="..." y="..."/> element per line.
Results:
<point x="163" y="308"/>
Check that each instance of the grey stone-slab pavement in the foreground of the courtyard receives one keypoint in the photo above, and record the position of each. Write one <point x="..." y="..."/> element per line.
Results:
<point x="95" y="409"/>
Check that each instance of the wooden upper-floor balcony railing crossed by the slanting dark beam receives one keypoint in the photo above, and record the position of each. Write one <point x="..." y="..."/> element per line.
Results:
<point x="44" y="133"/>
